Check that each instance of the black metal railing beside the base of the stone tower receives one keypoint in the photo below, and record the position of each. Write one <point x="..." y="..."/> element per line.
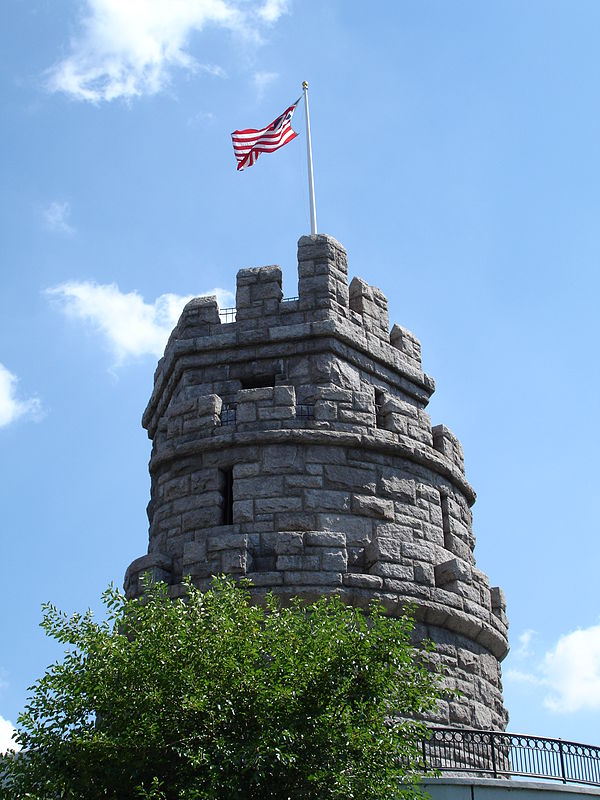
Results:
<point x="498" y="755"/>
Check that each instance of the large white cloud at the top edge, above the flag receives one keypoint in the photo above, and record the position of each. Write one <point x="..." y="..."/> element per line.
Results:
<point x="128" y="49"/>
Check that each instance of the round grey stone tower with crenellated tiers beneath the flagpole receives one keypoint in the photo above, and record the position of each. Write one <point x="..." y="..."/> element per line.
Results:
<point x="292" y="446"/>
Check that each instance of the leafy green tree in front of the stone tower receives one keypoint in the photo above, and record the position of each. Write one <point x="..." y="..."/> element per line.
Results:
<point x="214" y="697"/>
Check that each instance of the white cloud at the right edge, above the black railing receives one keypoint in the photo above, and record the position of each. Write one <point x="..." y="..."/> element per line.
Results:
<point x="572" y="671"/>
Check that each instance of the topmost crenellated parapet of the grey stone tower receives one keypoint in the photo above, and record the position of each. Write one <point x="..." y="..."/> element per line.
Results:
<point x="326" y="307"/>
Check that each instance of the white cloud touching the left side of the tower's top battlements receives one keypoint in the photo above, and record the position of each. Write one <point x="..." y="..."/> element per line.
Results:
<point x="130" y="326"/>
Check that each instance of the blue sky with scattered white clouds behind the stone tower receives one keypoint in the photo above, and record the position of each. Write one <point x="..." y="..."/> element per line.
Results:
<point x="456" y="158"/>
